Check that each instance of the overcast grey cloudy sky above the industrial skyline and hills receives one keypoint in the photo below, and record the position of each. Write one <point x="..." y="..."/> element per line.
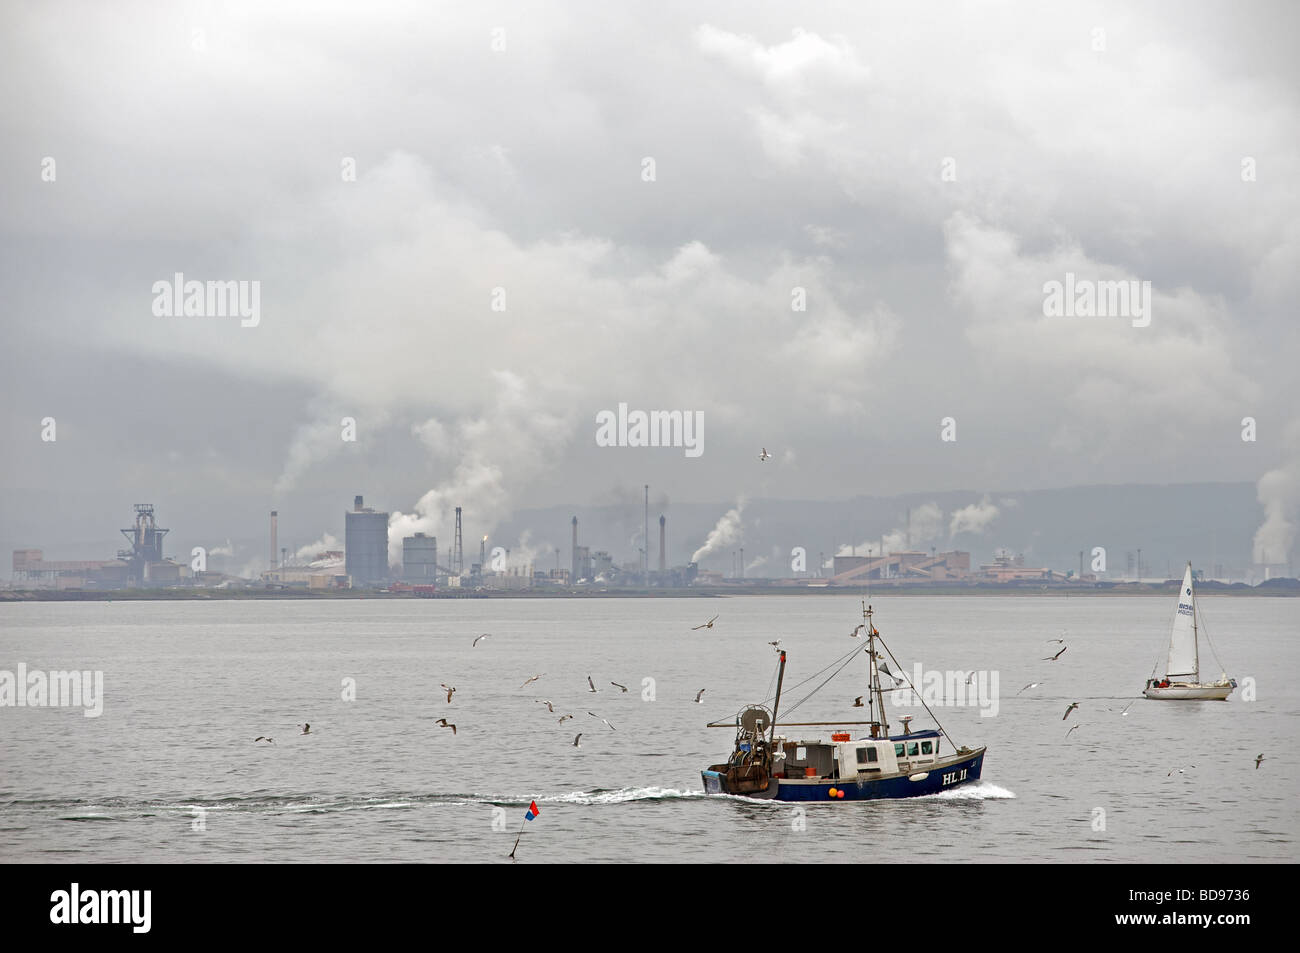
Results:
<point x="918" y="174"/>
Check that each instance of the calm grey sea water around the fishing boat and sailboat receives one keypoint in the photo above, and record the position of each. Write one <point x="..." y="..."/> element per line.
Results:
<point x="189" y="686"/>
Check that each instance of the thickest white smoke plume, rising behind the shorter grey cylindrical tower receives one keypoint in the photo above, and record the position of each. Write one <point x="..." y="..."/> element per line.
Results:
<point x="497" y="456"/>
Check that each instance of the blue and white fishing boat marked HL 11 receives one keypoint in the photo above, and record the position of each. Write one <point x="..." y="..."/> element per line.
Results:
<point x="874" y="765"/>
